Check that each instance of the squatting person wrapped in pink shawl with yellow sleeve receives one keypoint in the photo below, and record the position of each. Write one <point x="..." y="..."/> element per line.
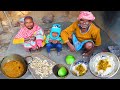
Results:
<point x="31" y="35"/>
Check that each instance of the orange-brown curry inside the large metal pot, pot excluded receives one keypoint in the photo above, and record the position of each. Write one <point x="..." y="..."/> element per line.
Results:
<point x="13" y="69"/>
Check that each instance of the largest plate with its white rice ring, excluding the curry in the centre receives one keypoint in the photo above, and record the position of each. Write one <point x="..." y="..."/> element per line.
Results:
<point x="104" y="55"/>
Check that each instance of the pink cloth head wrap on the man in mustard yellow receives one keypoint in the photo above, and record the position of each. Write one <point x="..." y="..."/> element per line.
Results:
<point x="86" y="15"/>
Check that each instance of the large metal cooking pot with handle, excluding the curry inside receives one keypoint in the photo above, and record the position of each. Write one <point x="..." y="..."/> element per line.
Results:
<point x="12" y="57"/>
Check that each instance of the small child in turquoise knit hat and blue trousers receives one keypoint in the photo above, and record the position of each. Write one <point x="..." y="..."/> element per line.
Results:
<point x="54" y="40"/>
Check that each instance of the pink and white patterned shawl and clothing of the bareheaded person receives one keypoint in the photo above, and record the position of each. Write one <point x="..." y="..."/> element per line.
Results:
<point x="26" y="33"/>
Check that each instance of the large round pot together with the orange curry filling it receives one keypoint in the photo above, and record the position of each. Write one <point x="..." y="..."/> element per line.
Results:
<point x="13" y="66"/>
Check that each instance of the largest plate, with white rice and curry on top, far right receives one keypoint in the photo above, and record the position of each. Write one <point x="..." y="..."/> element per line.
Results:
<point x="104" y="65"/>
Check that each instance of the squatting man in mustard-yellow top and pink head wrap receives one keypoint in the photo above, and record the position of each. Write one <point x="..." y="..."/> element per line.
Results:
<point x="82" y="33"/>
